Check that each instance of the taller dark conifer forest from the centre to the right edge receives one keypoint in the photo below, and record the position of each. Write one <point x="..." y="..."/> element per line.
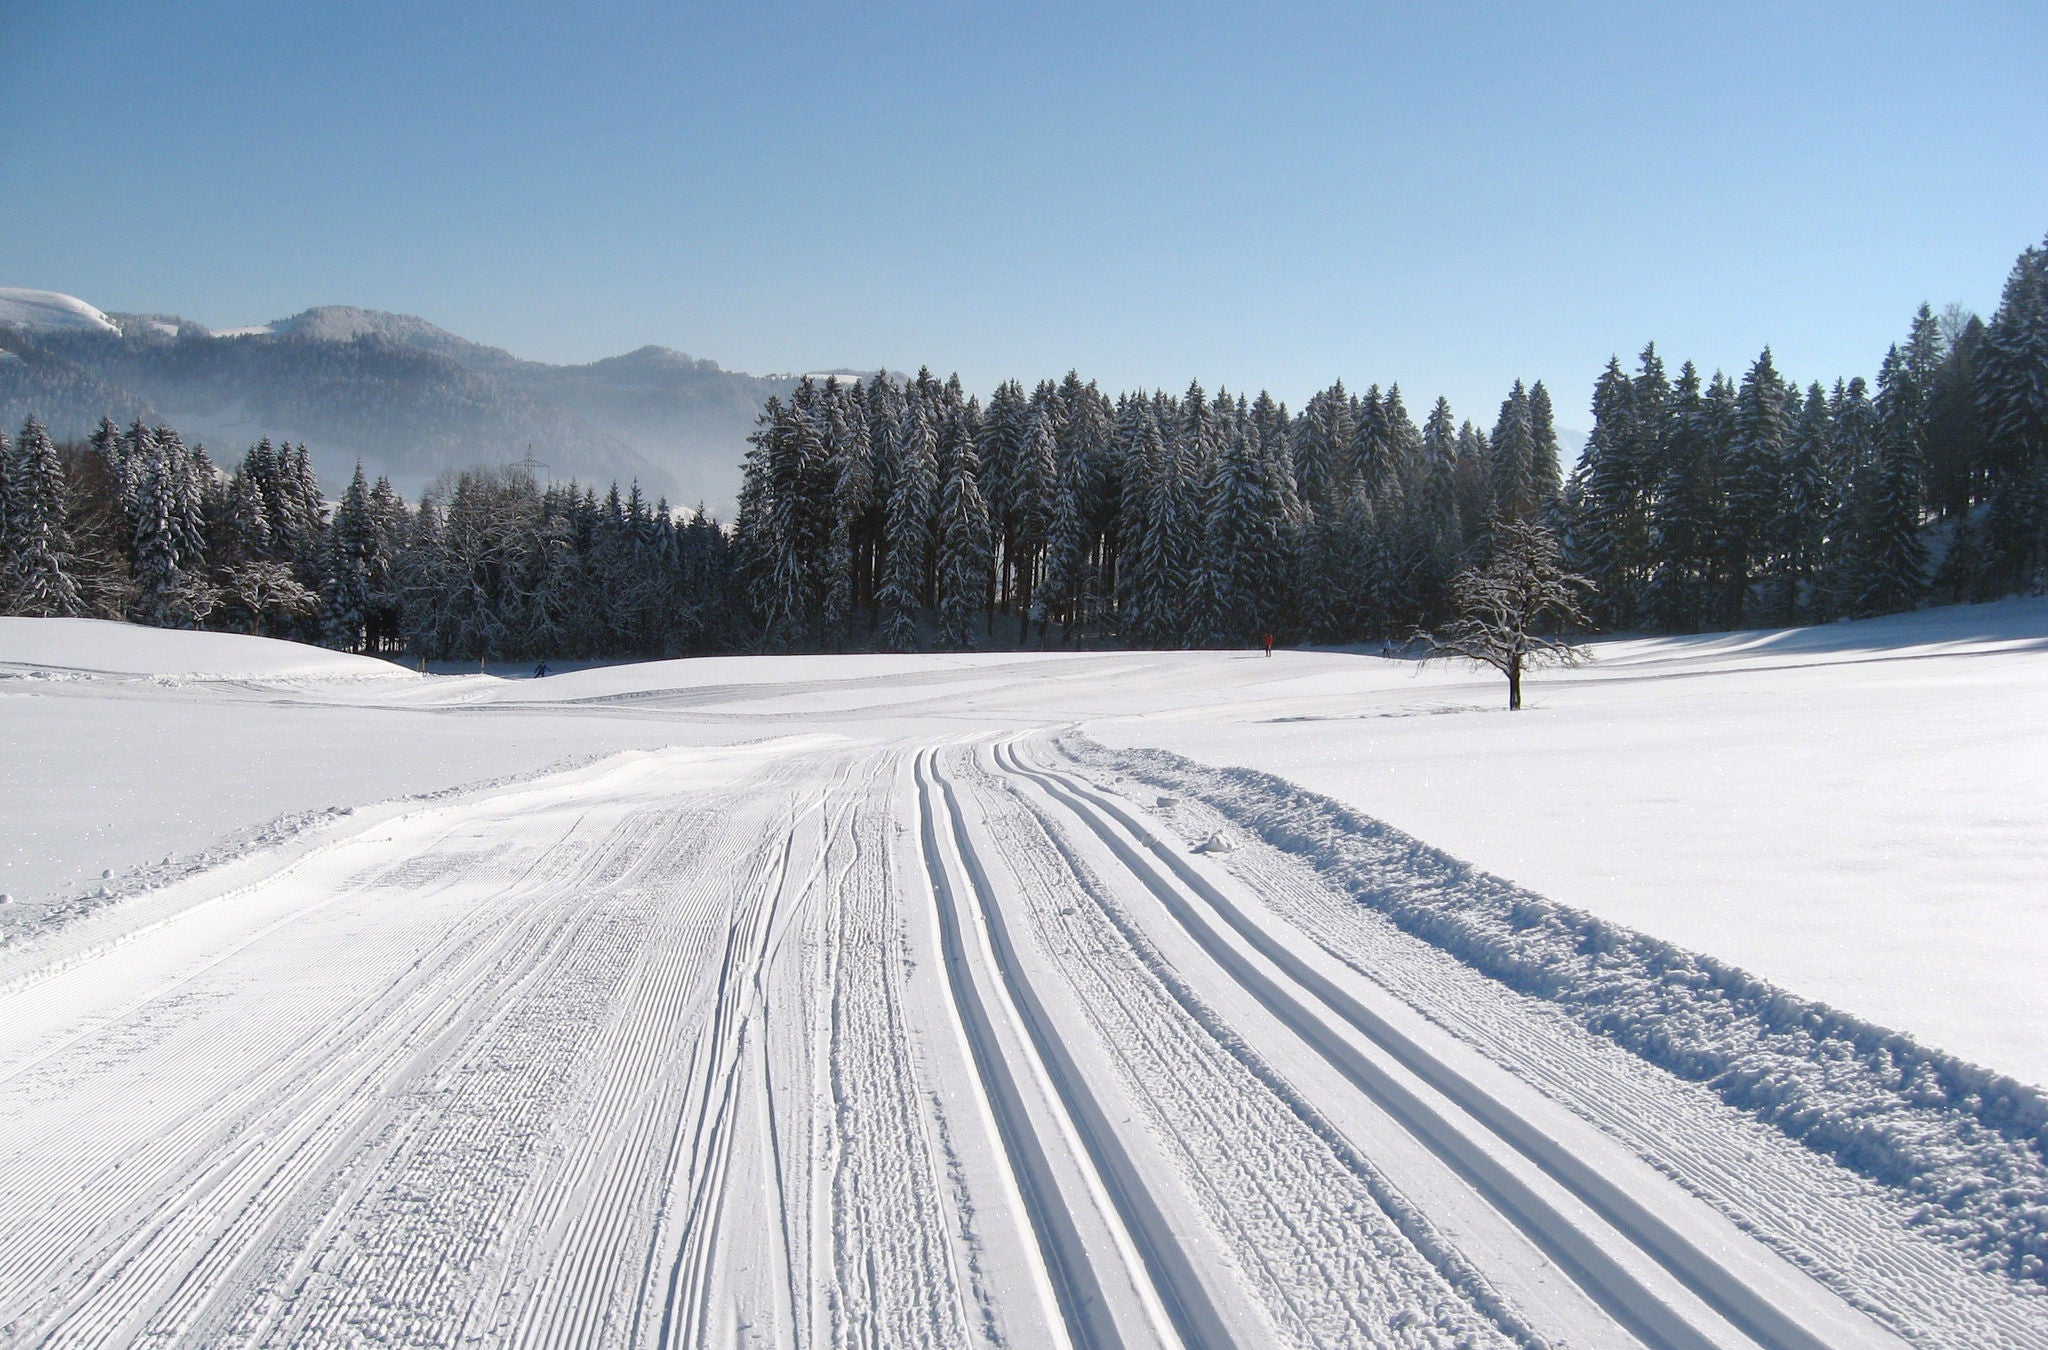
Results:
<point x="904" y="515"/>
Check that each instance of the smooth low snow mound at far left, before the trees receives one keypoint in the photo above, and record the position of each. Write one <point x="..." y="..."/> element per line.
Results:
<point x="97" y="646"/>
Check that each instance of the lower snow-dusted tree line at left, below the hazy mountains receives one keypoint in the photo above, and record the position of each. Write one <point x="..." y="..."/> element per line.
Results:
<point x="136" y="525"/>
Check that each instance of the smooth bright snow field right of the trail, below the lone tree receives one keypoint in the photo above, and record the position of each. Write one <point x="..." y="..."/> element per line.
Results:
<point x="1848" y="812"/>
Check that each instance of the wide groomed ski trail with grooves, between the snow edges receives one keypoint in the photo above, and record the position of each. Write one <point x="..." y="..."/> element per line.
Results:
<point x="941" y="1036"/>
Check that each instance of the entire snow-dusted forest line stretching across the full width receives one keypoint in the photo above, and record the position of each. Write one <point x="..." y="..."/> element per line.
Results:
<point x="910" y="515"/>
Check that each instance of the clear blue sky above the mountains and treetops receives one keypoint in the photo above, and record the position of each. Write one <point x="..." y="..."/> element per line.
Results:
<point x="1443" y="196"/>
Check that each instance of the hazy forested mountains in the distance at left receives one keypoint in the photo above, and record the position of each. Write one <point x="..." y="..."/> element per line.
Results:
<point x="407" y="396"/>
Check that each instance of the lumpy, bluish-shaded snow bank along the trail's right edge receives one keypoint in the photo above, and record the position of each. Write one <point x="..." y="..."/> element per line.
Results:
<point x="1967" y="1144"/>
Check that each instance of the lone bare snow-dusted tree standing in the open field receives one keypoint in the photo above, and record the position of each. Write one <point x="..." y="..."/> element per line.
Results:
<point x="1508" y="609"/>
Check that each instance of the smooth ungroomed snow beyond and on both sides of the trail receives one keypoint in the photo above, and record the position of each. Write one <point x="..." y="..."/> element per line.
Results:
<point x="1848" y="812"/>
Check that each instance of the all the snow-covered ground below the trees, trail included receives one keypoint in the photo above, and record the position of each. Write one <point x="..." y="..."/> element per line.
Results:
<point x="927" y="1003"/>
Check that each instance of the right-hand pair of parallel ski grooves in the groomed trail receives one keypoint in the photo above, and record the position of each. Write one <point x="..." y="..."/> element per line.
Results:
<point x="1596" y="1220"/>
